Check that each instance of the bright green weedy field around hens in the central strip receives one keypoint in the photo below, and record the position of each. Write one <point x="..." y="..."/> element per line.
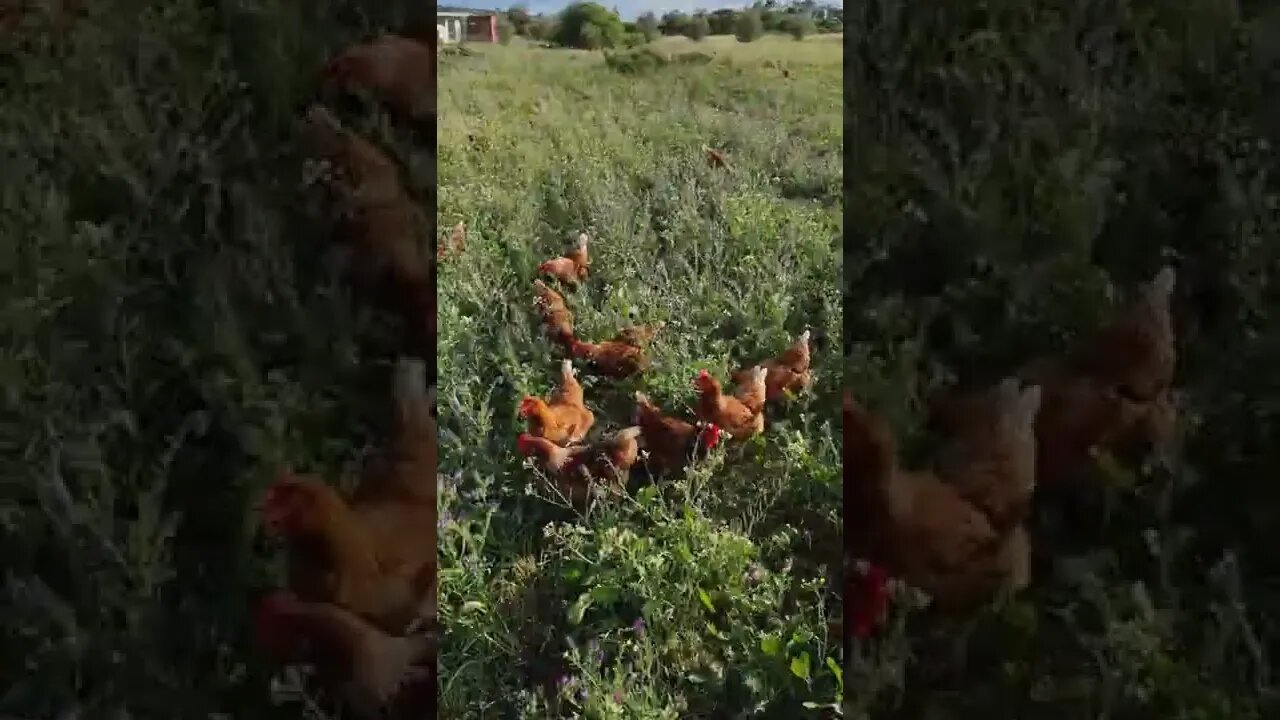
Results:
<point x="701" y="596"/>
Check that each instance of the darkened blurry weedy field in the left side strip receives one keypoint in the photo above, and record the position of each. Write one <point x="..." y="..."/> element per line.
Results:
<point x="176" y="331"/>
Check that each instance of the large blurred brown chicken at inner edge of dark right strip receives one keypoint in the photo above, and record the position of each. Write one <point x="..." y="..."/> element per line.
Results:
<point x="922" y="528"/>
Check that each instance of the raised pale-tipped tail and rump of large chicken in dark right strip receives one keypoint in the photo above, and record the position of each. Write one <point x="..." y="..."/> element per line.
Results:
<point x="985" y="458"/>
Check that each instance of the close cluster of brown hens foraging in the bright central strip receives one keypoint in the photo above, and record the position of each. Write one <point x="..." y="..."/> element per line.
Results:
<point x="559" y="426"/>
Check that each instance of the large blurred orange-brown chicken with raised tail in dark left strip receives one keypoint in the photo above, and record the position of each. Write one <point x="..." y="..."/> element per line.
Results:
<point x="374" y="554"/>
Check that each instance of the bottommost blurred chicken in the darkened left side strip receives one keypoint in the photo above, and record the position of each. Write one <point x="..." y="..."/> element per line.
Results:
<point x="374" y="672"/>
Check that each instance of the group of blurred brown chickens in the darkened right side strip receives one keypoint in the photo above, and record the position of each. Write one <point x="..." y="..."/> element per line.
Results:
<point x="958" y="531"/>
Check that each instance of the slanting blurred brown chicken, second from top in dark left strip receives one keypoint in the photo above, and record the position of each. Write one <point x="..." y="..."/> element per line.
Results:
<point x="387" y="230"/>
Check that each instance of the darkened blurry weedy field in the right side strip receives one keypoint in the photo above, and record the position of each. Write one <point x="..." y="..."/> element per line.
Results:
<point x="1016" y="171"/>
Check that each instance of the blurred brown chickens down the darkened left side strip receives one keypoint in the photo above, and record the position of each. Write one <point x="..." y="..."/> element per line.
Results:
<point x="362" y="604"/>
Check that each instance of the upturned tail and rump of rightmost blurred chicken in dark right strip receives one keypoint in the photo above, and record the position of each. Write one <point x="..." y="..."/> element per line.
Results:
<point x="1136" y="354"/>
